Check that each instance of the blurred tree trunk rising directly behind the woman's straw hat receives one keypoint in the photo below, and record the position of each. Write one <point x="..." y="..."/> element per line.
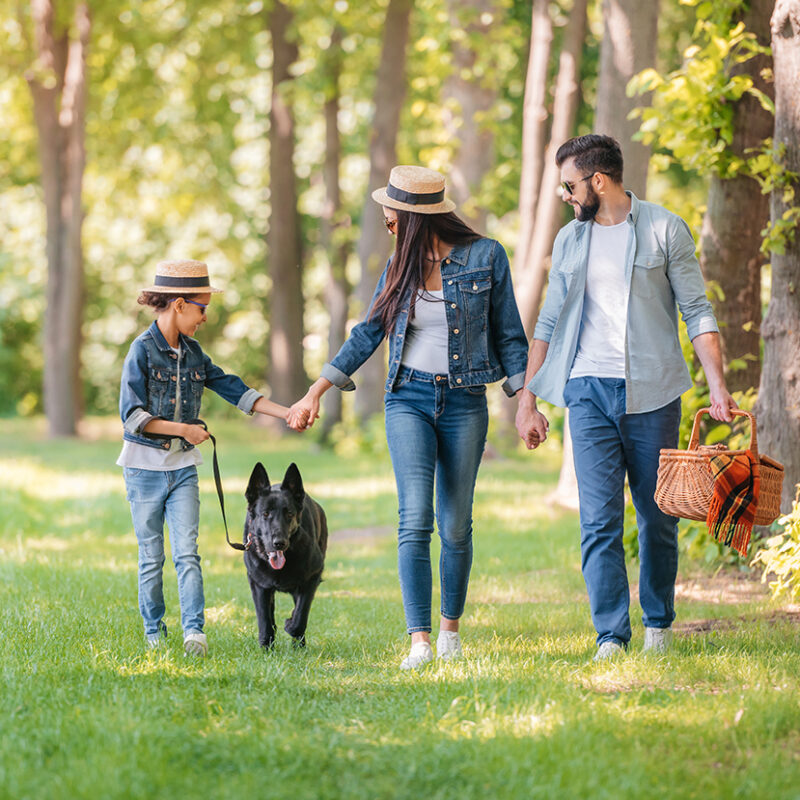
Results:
<point x="474" y="156"/>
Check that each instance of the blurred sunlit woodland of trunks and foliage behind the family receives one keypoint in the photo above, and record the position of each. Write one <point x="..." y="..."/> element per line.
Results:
<point x="250" y="134"/>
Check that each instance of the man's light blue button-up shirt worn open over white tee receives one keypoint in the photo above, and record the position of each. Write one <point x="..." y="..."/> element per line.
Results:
<point x="660" y="270"/>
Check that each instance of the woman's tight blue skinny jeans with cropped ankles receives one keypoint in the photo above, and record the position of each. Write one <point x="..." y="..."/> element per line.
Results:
<point x="435" y="434"/>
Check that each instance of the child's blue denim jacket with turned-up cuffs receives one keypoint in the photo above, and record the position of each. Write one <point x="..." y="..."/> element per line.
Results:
<point x="149" y="381"/>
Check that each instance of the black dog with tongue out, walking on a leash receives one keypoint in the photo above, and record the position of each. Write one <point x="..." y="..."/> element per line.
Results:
<point x="288" y="536"/>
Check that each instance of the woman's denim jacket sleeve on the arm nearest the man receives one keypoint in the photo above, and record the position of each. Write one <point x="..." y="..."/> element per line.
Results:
<point x="508" y="334"/>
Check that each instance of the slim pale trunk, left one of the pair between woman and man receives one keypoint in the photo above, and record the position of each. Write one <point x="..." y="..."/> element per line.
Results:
<point x="534" y="129"/>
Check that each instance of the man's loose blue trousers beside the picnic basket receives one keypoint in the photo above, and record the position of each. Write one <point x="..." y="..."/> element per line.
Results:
<point x="607" y="443"/>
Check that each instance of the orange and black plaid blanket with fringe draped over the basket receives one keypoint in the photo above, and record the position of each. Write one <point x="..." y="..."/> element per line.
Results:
<point x="734" y="500"/>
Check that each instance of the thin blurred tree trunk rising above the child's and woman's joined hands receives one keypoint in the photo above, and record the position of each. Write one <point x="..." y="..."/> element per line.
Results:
<point x="337" y="289"/>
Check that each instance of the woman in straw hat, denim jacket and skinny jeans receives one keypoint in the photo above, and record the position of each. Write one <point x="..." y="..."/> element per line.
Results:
<point x="446" y="302"/>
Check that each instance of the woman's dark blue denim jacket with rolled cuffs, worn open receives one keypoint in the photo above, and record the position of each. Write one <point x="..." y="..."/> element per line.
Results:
<point x="486" y="340"/>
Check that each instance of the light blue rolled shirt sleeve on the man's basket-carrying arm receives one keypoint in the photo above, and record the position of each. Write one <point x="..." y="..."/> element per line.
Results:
<point x="686" y="279"/>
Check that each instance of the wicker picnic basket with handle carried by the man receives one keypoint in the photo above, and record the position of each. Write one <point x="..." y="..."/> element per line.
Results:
<point x="685" y="482"/>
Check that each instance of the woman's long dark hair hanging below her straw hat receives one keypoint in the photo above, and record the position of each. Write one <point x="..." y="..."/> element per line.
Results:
<point x="416" y="234"/>
